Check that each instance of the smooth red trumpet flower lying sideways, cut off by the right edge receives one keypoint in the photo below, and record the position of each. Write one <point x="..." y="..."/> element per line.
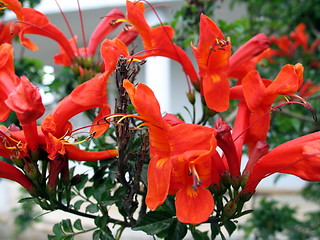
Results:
<point x="299" y="157"/>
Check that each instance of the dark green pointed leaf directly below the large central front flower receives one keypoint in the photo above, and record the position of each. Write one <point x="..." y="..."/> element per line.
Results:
<point x="154" y="222"/>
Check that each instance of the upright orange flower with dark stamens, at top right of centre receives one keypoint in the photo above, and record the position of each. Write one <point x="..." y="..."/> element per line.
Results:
<point x="212" y="55"/>
